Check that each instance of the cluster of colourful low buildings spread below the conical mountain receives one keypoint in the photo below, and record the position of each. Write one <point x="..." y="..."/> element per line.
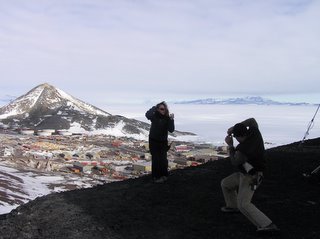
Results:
<point x="100" y="156"/>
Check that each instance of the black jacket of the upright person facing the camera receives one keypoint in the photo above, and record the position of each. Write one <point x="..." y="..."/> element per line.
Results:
<point x="160" y="125"/>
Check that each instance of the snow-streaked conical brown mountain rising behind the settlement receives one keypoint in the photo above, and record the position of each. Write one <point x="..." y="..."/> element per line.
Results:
<point x="46" y="107"/>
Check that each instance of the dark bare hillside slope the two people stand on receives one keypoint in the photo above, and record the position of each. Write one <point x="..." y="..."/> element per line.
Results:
<point x="187" y="206"/>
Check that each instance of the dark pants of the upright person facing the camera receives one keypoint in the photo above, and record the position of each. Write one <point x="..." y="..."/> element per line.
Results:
<point x="158" y="150"/>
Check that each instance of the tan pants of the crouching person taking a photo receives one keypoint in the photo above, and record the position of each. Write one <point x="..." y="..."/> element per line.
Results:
<point x="238" y="193"/>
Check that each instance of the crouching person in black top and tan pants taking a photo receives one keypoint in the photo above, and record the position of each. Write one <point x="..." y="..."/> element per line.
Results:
<point x="239" y="187"/>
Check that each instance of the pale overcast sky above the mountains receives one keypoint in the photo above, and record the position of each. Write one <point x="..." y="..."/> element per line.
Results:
<point x="104" y="51"/>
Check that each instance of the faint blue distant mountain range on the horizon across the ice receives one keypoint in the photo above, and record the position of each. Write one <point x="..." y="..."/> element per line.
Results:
<point x="256" y="100"/>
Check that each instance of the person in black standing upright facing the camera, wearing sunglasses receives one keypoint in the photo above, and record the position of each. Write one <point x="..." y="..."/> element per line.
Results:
<point x="161" y="123"/>
